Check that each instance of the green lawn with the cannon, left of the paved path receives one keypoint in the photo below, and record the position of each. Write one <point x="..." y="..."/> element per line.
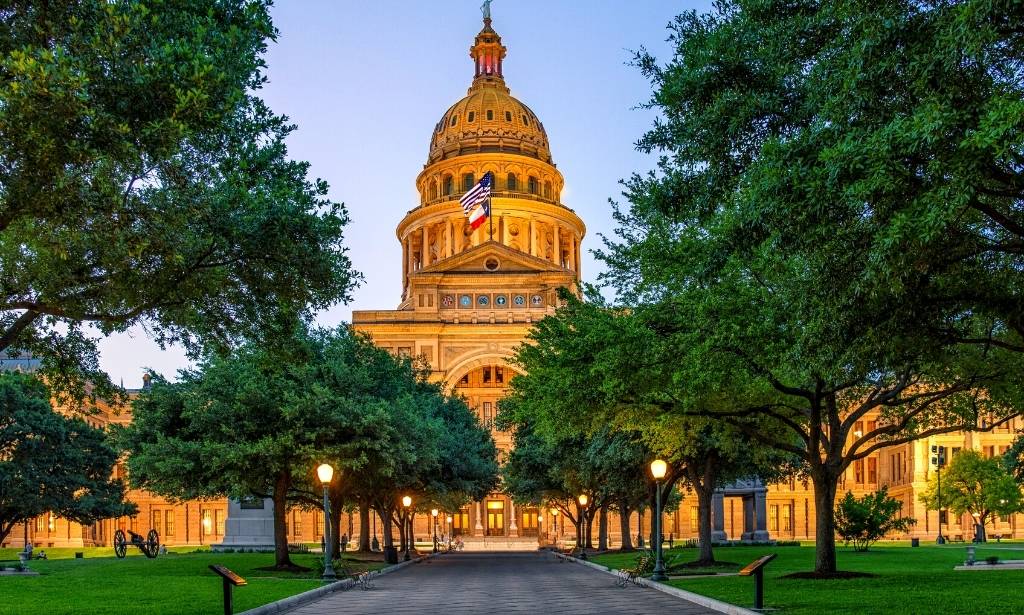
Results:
<point x="179" y="583"/>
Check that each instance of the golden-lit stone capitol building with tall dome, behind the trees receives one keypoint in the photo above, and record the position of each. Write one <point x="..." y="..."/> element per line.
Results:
<point x="468" y="299"/>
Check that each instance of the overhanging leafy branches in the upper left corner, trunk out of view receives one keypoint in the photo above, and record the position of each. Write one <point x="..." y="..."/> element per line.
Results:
<point x="144" y="183"/>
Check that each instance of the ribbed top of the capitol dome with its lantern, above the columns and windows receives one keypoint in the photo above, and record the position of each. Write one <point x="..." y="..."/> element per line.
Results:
<point x="489" y="119"/>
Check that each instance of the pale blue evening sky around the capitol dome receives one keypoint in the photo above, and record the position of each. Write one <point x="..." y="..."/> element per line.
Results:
<point x="366" y="83"/>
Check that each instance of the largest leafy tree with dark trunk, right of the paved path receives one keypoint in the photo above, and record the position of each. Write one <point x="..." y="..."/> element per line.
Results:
<point x="780" y="232"/>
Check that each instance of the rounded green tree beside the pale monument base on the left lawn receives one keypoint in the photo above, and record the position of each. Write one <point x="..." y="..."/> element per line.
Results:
<point x="257" y="422"/>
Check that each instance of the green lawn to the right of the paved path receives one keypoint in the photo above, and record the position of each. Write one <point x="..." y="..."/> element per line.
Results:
<point x="910" y="581"/>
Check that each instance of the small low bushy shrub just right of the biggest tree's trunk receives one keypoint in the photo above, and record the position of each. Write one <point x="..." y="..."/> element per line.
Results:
<point x="865" y="520"/>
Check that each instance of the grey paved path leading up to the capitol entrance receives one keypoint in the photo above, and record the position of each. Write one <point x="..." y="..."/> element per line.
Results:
<point x="499" y="583"/>
